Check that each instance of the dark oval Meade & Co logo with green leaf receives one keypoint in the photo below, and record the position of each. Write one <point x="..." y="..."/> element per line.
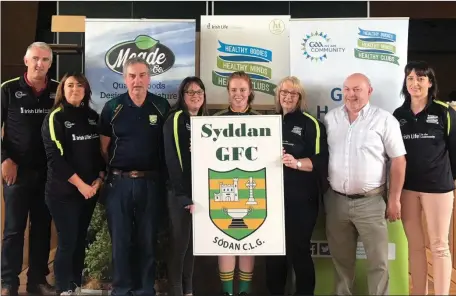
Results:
<point x="159" y="56"/>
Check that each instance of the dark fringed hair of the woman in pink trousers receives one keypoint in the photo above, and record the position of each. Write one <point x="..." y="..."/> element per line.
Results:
<point x="421" y="69"/>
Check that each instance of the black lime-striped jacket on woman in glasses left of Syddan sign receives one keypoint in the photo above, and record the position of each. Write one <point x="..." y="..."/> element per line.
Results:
<point x="176" y="133"/>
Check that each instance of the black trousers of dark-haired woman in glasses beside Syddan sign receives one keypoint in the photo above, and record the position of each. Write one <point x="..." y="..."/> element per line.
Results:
<point x="180" y="263"/>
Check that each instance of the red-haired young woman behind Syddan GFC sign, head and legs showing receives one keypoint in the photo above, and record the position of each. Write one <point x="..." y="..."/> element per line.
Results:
<point x="240" y="95"/>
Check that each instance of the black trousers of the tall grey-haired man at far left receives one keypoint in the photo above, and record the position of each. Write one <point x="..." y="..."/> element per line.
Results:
<point x="24" y="197"/>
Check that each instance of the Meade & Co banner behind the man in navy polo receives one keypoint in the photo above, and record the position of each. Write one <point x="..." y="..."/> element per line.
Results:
<point x="167" y="45"/>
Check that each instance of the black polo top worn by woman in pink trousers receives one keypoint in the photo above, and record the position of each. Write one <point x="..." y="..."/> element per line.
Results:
<point x="430" y="141"/>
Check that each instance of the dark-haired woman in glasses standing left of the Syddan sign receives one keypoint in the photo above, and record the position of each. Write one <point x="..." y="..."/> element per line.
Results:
<point x="176" y="132"/>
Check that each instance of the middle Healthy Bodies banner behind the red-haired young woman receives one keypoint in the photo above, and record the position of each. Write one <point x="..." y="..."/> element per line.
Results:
<point x="257" y="45"/>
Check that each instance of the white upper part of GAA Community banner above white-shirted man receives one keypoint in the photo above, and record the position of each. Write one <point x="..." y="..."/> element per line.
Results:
<point x="324" y="52"/>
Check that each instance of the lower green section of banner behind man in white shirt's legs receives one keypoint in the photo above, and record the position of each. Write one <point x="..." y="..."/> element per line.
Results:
<point x="324" y="268"/>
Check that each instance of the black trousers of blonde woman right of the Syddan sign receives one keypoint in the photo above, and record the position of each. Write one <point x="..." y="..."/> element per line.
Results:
<point x="300" y="220"/>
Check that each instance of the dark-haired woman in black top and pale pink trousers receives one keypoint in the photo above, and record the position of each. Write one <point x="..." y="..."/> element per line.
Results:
<point x="429" y="131"/>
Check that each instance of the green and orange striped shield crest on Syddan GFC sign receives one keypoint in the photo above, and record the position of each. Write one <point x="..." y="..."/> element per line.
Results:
<point x="237" y="201"/>
